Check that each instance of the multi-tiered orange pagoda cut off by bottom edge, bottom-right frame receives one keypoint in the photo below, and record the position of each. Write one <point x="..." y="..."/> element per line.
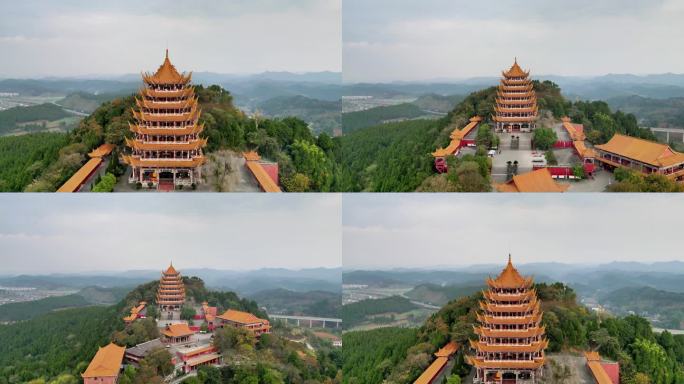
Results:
<point x="511" y="343"/>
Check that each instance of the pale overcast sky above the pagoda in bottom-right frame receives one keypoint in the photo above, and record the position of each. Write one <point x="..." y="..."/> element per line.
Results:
<point x="388" y="231"/>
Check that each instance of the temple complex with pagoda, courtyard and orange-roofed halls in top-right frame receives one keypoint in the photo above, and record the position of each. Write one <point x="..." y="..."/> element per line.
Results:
<point x="570" y="163"/>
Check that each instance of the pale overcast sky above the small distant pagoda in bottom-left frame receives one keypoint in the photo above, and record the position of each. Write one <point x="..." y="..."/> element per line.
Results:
<point x="93" y="232"/>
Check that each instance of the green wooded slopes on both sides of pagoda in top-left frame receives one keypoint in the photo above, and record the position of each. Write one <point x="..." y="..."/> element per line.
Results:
<point x="306" y="161"/>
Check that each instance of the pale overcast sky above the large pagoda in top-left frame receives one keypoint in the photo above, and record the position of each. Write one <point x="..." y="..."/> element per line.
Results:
<point x="85" y="37"/>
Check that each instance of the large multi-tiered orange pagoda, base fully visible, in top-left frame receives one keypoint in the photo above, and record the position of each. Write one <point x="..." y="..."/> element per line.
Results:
<point x="166" y="148"/>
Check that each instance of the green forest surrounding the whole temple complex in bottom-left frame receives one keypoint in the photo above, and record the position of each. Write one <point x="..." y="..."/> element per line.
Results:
<point x="60" y="344"/>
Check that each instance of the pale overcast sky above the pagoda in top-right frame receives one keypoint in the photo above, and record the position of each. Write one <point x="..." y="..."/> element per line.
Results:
<point x="386" y="40"/>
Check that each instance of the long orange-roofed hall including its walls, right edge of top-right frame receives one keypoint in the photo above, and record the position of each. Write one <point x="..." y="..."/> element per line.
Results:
<point x="642" y="156"/>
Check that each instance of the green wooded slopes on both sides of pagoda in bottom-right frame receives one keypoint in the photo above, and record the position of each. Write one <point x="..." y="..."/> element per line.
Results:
<point x="569" y="326"/>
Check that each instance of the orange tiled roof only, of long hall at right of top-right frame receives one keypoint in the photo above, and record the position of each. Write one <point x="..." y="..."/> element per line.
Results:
<point x="649" y="152"/>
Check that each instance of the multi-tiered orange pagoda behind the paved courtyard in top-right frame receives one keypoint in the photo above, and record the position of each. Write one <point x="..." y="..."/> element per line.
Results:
<point x="516" y="102"/>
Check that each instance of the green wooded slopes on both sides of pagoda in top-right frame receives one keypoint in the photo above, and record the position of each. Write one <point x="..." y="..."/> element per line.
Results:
<point x="396" y="156"/>
